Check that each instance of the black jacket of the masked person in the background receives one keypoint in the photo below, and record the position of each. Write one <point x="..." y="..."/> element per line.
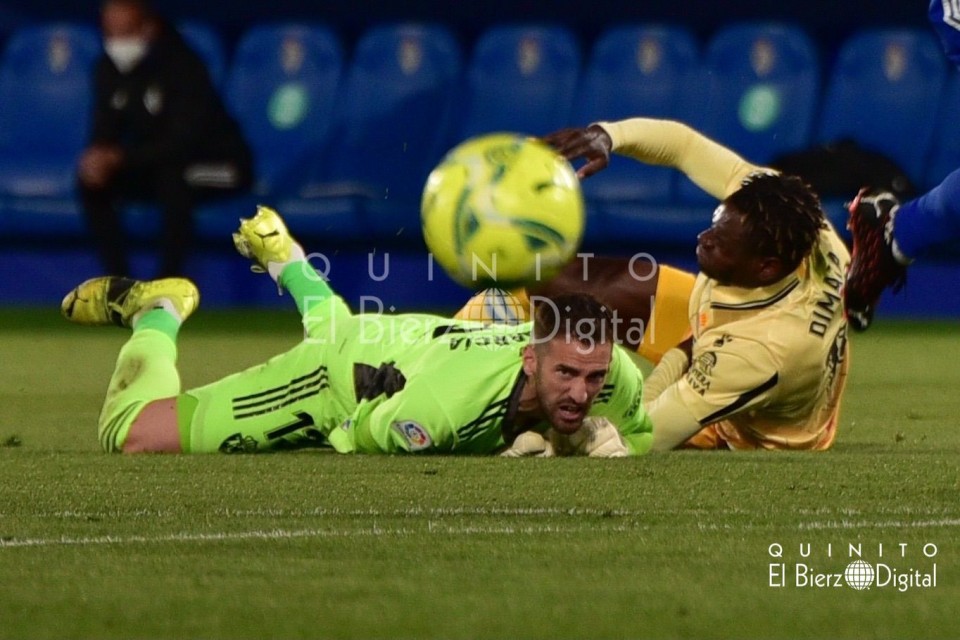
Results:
<point x="165" y="110"/>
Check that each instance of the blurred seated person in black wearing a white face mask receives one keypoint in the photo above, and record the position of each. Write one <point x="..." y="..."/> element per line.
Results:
<point x="160" y="134"/>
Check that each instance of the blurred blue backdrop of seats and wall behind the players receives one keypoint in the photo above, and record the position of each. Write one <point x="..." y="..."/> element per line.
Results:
<point x="385" y="88"/>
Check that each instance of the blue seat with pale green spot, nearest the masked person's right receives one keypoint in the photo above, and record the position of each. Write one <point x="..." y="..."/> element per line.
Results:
<point x="281" y="86"/>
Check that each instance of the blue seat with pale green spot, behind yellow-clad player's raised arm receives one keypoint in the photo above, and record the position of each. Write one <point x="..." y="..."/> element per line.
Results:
<point x="762" y="83"/>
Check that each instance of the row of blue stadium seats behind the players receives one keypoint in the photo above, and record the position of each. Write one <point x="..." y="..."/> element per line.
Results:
<point x="344" y="142"/>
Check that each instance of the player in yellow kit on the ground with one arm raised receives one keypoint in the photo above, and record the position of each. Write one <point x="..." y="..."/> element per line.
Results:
<point x="767" y="361"/>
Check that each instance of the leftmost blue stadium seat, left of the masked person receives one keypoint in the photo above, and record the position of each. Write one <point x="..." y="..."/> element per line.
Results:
<point x="46" y="94"/>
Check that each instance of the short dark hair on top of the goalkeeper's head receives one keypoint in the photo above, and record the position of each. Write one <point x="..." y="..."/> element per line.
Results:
<point x="572" y="316"/>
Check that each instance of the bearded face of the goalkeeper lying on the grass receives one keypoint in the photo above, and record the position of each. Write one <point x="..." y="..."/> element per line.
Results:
<point x="567" y="375"/>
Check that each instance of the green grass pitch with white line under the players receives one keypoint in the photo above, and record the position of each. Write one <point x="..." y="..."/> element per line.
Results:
<point x="314" y="545"/>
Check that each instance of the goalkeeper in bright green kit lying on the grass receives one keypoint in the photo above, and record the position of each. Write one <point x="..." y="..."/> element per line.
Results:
<point x="365" y="383"/>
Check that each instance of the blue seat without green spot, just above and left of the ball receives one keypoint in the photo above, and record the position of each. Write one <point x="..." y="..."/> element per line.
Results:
<point x="391" y="130"/>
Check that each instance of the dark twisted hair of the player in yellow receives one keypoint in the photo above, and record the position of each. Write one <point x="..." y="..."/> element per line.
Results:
<point x="782" y="216"/>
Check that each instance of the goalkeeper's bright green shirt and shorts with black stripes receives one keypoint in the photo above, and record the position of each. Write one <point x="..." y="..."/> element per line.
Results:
<point x="373" y="383"/>
